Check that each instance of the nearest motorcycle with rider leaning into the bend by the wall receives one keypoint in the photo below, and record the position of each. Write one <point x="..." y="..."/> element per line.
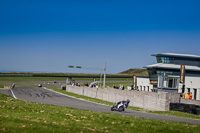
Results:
<point x="120" y="106"/>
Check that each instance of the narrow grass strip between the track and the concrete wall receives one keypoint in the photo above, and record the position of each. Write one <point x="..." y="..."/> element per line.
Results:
<point x="169" y="113"/>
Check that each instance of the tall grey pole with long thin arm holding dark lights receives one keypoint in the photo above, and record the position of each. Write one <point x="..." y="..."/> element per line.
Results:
<point x="104" y="81"/>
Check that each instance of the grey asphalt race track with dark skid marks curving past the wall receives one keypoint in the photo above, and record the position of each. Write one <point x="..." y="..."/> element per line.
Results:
<point x="42" y="95"/>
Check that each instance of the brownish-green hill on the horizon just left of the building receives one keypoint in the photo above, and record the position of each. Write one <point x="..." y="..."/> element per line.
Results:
<point x="137" y="72"/>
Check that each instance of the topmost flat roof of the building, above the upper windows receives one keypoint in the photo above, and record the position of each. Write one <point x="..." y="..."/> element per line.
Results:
<point x="178" y="55"/>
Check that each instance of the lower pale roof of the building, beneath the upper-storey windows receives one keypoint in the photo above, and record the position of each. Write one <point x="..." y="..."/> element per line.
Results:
<point x="173" y="66"/>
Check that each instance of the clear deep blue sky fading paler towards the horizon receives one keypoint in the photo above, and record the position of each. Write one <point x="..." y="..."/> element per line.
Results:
<point x="47" y="36"/>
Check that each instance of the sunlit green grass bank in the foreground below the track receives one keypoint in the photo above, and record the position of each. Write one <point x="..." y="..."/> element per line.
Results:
<point x="20" y="116"/>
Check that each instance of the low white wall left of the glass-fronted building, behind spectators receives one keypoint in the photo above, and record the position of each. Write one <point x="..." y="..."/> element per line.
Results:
<point x="143" y="84"/>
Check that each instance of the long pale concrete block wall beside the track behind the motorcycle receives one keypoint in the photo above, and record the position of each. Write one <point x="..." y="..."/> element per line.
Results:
<point x="147" y="100"/>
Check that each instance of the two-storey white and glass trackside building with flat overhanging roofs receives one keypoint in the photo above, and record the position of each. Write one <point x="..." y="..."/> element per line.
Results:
<point x="165" y="75"/>
